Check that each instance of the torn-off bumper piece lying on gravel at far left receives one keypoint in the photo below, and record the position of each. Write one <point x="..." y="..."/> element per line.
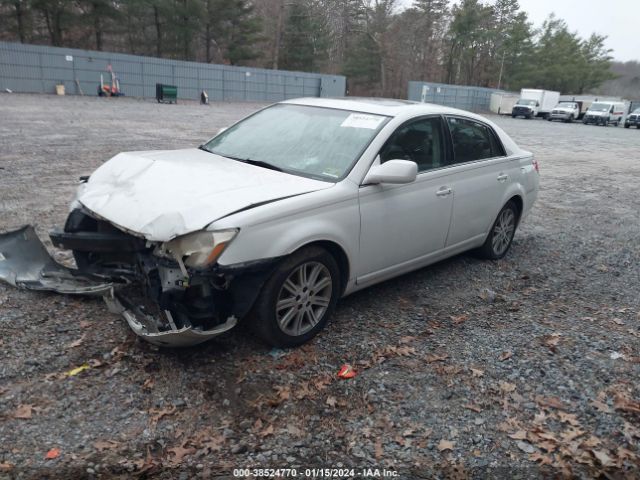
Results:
<point x="25" y="263"/>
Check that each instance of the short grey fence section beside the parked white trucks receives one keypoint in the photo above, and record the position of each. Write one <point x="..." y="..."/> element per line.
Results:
<point x="473" y="99"/>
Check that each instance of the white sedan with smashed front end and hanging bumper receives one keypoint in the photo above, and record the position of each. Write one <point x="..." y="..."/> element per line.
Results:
<point x="280" y="215"/>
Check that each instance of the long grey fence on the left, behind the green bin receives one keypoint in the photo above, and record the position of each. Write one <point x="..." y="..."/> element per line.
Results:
<point x="37" y="69"/>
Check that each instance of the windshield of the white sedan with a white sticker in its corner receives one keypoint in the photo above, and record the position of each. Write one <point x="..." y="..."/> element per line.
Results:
<point x="315" y="142"/>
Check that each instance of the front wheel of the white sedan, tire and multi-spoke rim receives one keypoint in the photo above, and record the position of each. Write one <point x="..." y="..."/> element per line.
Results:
<point x="298" y="299"/>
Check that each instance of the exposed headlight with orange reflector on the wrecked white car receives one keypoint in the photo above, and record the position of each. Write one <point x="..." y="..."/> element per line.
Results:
<point x="199" y="249"/>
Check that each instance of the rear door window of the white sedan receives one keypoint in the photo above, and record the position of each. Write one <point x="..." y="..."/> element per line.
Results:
<point x="473" y="141"/>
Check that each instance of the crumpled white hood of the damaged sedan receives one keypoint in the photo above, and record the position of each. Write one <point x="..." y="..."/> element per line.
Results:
<point x="164" y="194"/>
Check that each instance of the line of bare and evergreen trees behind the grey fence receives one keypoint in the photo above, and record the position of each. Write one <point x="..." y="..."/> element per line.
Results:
<point x="377" y="44"/>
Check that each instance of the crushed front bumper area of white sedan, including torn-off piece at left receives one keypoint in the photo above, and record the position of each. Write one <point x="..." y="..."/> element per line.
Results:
<point x="160" y="305"/>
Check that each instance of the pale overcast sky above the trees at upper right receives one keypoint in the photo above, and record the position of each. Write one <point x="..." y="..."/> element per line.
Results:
<point x="617" y="19"/>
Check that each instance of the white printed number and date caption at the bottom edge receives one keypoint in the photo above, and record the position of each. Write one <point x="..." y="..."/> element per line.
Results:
<point x="314" y="473"/>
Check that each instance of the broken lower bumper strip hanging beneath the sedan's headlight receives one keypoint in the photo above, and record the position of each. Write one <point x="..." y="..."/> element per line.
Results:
<point x="153" y="328"/>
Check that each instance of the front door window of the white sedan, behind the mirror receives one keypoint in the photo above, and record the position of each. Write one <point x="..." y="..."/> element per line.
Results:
<point x="421" y="141"/>
